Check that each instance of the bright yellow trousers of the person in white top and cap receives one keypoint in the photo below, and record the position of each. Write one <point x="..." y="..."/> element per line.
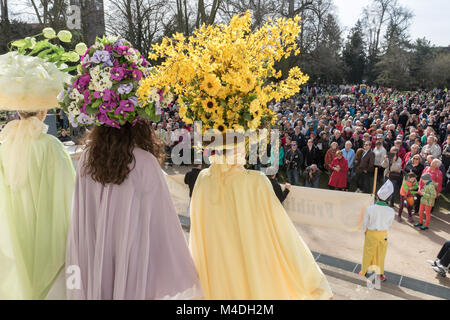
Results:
<point x="375" y="247"/>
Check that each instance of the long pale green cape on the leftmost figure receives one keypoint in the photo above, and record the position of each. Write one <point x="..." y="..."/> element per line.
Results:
<point x="34" y="218"/>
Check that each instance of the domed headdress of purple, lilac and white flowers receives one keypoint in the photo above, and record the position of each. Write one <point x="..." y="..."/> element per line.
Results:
<point x="104" y="90"/>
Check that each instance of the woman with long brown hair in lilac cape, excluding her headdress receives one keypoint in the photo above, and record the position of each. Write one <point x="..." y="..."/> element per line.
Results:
<point x="125" y="235"/>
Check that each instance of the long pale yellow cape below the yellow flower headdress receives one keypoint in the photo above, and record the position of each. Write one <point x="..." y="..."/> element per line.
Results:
<point x="243" y="243"/>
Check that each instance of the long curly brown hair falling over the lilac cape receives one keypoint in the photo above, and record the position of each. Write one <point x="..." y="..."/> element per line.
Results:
<point x="110" y="151"/>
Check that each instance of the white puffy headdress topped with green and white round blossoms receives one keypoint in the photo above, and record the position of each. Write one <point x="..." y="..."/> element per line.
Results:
<point x="33" y="73"/>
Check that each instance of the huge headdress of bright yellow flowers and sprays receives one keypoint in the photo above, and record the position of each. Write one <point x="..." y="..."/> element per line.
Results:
<point x="222" y="73"/>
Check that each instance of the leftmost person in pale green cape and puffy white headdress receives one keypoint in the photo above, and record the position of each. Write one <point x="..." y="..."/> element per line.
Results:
<point x="36" y="183"/>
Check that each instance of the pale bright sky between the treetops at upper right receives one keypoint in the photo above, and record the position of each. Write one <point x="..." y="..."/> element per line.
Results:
<point x="431" y="17"/>
